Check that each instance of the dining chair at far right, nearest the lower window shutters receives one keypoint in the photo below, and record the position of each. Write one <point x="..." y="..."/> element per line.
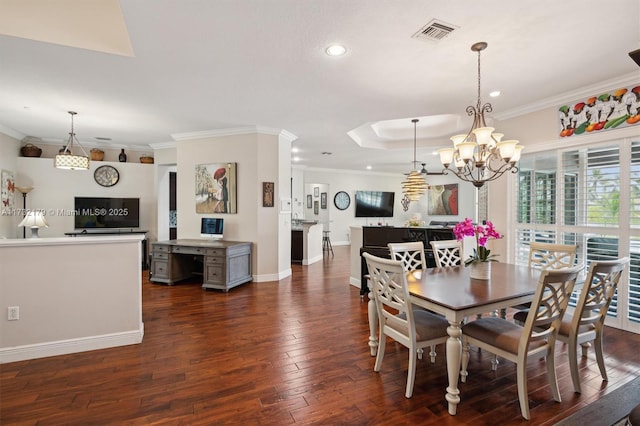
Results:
<point x="586" y="323"/>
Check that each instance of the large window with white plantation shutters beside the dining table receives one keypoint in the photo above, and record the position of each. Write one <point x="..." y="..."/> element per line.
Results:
<point x="588" y="196"/>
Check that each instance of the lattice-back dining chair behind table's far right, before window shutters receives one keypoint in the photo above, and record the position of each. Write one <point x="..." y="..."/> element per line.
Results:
<point x="545" y="256"/>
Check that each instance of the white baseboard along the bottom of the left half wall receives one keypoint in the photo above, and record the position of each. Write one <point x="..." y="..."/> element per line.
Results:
<point x="63" y="347"/>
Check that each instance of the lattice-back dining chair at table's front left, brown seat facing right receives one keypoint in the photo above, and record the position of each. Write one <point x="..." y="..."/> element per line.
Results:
<point x="398" y="319"/>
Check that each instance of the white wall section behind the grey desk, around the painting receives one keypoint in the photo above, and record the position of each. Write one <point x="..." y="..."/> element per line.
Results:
<point x="258" y="157"/>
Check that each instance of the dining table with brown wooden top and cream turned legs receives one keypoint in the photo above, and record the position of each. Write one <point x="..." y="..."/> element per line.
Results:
<point x="451" y="292"/>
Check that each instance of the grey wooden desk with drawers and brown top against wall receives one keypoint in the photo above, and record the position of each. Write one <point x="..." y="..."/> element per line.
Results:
<point x="222" y="264"/>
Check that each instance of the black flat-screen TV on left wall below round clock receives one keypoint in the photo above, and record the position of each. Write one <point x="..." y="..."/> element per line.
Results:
<point x="106" y="213"/>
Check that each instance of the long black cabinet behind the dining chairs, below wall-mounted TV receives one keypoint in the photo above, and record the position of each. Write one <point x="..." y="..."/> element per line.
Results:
<point x="376" y="238"/>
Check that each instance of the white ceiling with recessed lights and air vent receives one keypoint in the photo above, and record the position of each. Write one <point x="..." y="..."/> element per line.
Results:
<point x="208" y="65"/>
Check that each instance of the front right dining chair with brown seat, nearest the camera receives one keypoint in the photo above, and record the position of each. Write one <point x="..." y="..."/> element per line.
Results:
<point x="537" y="337"/>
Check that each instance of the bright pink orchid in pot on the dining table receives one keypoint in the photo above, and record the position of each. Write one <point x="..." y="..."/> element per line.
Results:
<point x="480" y="260"/>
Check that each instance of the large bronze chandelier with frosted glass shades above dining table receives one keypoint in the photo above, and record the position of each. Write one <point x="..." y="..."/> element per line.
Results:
<point x="480" y="156"/>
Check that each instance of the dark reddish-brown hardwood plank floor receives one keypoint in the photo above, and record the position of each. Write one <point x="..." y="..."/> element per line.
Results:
<point x="278" y="353"/>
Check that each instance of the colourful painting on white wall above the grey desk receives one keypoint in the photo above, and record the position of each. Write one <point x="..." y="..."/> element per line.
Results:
<point x="216" y="188"/>
